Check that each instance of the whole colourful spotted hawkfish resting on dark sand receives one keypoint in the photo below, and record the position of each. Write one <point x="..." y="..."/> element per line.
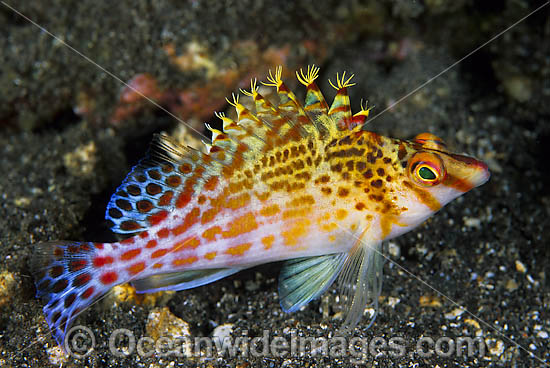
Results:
<point x="304" y="183"/>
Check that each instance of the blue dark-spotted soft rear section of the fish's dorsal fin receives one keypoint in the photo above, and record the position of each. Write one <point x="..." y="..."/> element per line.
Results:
<point x="165" y="179"/>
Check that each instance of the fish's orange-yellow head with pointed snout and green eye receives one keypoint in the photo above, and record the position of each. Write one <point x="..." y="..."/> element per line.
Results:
<point x="405" y="182"/>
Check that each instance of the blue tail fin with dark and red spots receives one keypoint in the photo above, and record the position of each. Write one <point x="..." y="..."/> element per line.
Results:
<point x="66" y="280"/>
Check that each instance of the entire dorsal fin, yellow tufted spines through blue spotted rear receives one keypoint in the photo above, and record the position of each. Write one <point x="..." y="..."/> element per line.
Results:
<point x="170" y="175"/>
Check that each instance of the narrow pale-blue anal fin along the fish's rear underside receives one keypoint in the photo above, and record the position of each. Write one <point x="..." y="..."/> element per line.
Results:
<point x="176" y="281"/>
